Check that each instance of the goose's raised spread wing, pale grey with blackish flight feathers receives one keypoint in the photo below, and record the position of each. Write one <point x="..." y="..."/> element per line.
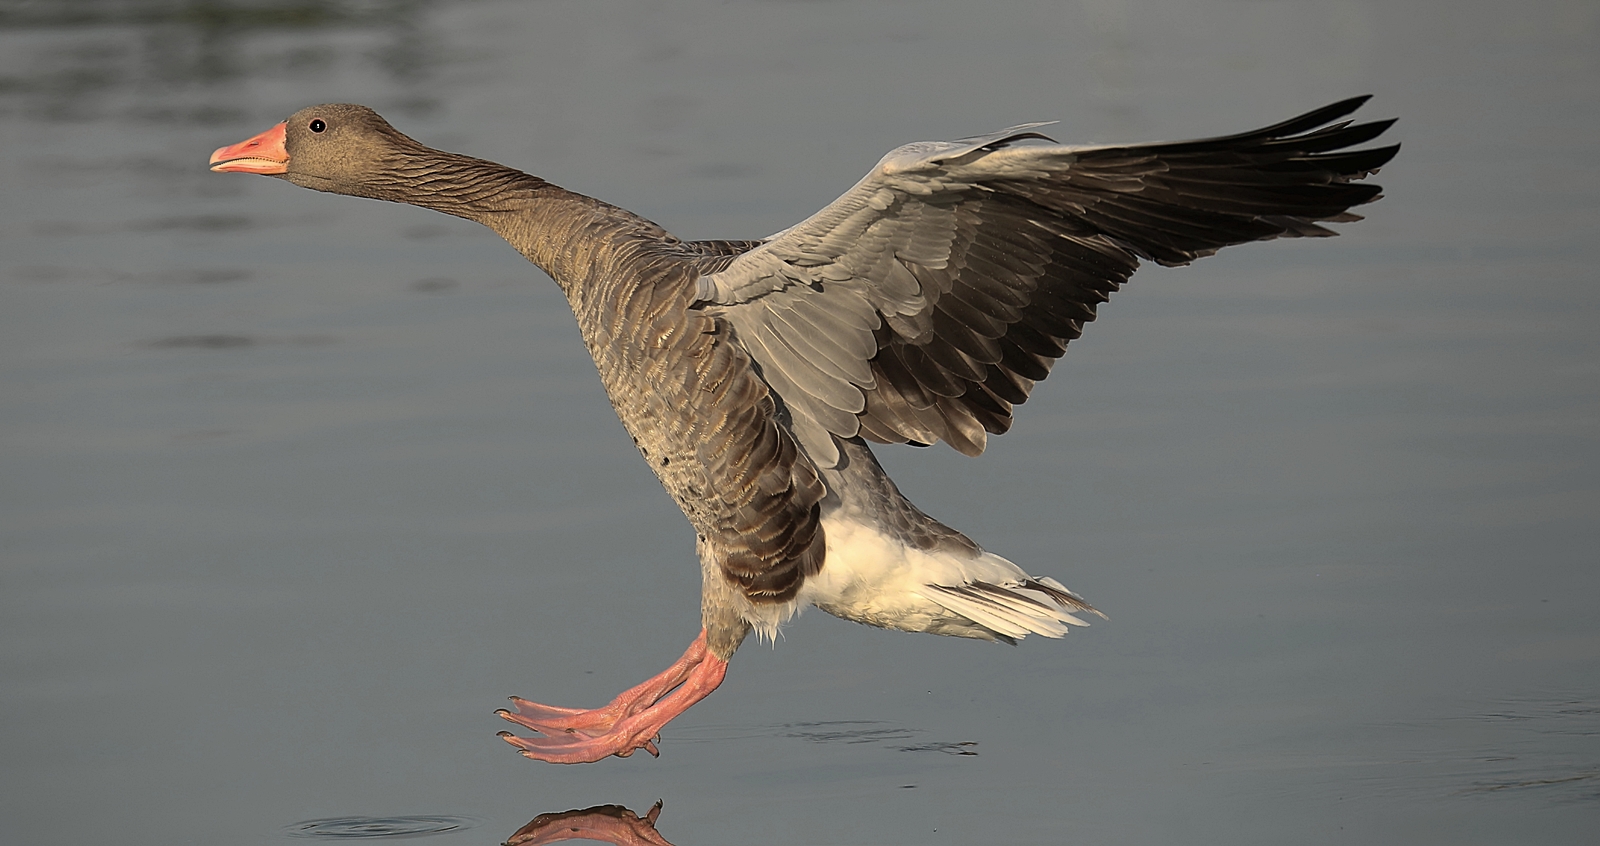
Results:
<point x="927" y="301"/>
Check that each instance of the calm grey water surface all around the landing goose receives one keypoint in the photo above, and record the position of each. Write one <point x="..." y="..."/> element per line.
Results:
<point x="298" y="489"/>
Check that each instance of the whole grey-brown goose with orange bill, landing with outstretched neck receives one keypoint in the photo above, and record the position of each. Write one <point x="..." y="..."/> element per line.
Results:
<point x="921" y="306"/>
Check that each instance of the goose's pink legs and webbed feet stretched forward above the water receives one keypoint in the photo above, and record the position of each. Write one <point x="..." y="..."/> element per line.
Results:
<point x="631" y="722"/>
